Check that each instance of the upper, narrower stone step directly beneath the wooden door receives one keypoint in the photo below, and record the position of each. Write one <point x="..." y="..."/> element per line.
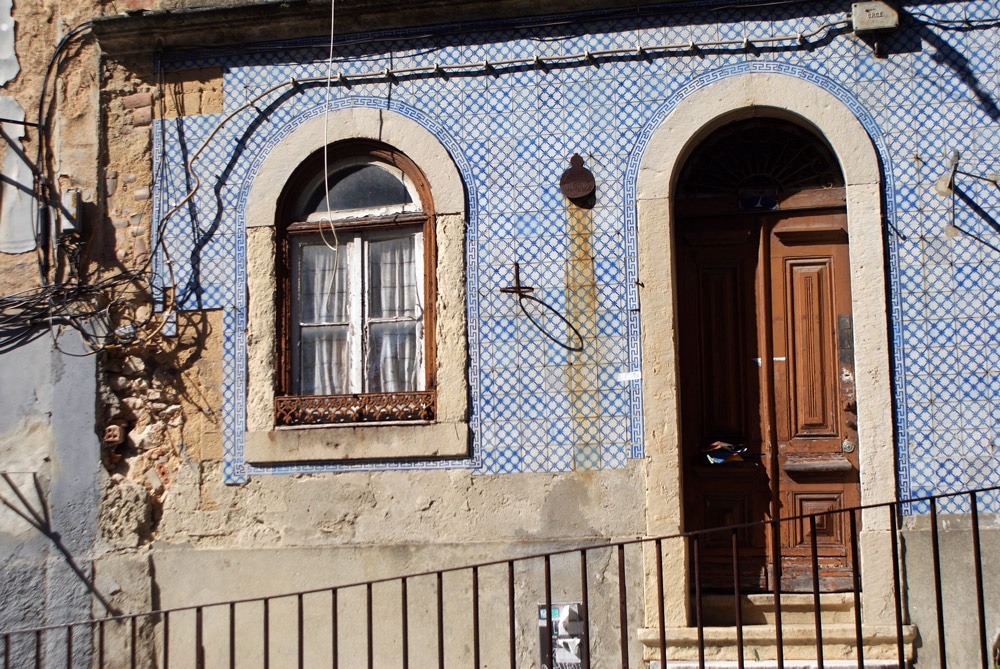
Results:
<point x="796" y="609"/>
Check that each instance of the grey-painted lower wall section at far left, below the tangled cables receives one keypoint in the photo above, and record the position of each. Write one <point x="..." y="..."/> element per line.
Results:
<point x="47" y="434"/>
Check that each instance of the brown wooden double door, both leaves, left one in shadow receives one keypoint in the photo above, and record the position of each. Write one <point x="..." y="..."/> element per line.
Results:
<point x="766" y="365"/>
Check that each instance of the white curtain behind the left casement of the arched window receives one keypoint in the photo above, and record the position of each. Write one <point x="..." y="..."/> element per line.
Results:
<point x="323" y="352"/>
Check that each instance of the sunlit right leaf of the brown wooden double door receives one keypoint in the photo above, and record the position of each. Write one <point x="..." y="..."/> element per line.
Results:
<point x="813" y="394"/>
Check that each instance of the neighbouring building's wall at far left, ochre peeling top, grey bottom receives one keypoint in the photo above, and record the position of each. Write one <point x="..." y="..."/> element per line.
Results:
<point x="48" y="394"/>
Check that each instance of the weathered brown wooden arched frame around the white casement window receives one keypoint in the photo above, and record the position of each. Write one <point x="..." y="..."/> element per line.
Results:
<point x="300" y="410"/>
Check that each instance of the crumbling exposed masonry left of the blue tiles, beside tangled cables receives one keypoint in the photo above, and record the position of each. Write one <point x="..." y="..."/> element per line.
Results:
<point x="160" y="395"/>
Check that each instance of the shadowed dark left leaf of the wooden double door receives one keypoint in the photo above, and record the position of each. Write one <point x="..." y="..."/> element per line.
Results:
<point x="718" y="261"/>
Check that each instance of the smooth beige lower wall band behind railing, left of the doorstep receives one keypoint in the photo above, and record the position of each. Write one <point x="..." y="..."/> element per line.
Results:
<point x="236" y="573"/>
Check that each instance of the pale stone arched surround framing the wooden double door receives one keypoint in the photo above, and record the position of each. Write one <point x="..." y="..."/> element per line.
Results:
<point x="745" y="95"/>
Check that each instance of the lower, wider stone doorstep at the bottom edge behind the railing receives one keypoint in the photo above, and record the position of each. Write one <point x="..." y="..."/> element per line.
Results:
<point x="798" y="644"/>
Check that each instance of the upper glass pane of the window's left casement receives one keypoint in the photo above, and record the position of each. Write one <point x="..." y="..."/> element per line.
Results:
<point x="322" y="275"/>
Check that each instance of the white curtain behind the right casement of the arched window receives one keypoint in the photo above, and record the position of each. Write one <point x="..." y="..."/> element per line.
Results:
<point x="393" y="347"/>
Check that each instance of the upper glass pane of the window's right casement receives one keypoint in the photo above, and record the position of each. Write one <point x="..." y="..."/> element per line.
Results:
<point x="392" y="278"/>
